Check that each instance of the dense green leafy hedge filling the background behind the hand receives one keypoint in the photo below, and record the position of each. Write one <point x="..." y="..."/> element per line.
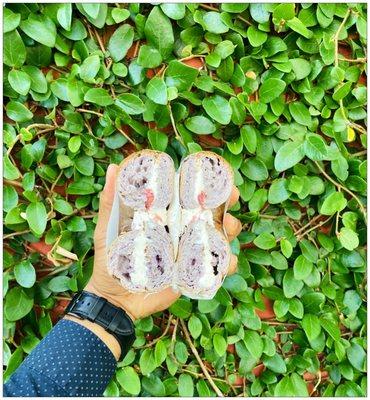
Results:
<point x="280" y="91"/>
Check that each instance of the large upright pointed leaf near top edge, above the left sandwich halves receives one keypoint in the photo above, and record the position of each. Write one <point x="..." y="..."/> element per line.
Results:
<point x="159" y="33"/>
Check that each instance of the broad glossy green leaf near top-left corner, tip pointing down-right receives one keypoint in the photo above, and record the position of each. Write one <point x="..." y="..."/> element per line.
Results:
<point x="40" y="28"/>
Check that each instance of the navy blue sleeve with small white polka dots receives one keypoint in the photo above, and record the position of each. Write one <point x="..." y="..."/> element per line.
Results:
<point x="69" y="361"/>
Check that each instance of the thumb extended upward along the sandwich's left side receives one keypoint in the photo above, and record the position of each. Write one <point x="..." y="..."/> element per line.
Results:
<point x="106" y="201"/>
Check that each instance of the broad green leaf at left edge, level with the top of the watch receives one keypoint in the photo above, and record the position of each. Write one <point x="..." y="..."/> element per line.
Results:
<point x="17" y="304"/>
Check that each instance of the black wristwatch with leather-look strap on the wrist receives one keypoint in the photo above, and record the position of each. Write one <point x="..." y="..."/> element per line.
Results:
<point x="86" y="305"/>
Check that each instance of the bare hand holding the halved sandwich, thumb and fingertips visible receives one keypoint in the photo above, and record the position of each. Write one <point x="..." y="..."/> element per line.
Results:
<point x="137" y="305"/>
